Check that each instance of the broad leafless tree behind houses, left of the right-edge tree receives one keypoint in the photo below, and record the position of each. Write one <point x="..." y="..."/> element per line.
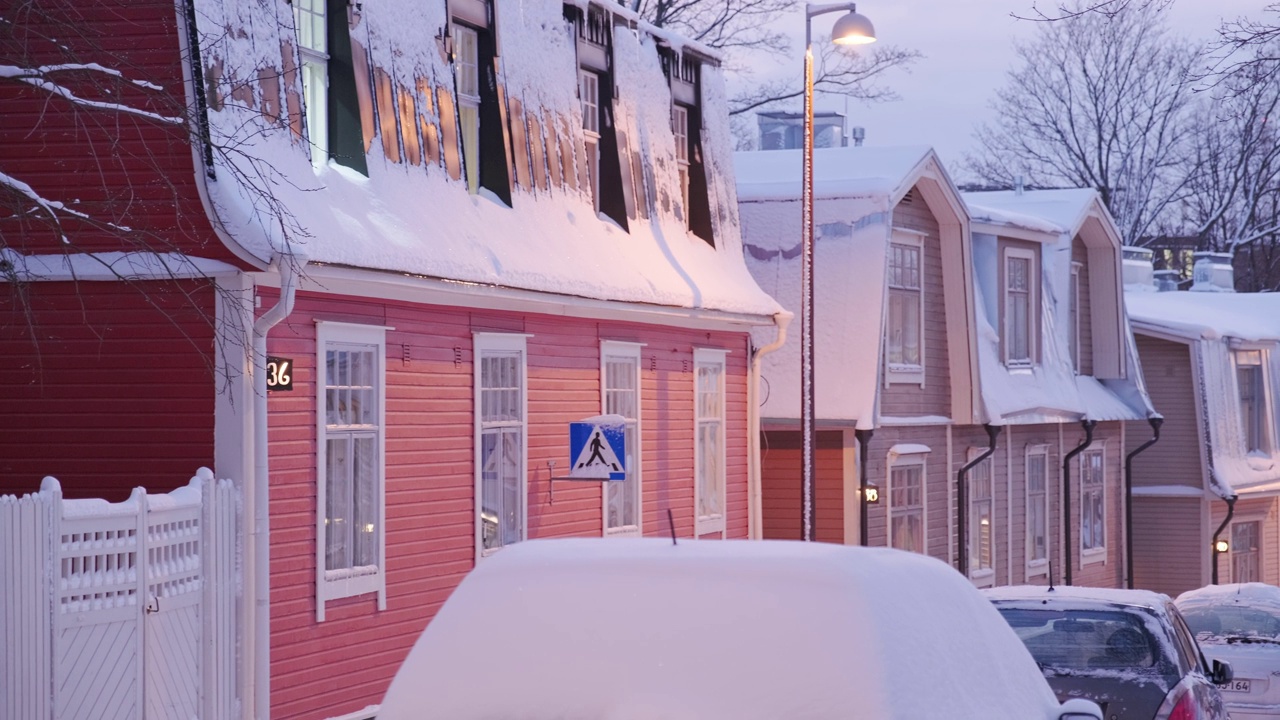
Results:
<point x="1098" y="102"/>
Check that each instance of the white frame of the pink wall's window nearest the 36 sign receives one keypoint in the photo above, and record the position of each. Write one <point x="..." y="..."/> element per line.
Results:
<point x="333" y="585"/>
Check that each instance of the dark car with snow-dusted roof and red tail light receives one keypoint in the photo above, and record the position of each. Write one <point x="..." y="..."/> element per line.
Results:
<point x="1130" y="651"/>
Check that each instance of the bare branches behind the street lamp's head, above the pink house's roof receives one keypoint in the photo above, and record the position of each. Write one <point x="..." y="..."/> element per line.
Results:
<point x="746" y="29"/>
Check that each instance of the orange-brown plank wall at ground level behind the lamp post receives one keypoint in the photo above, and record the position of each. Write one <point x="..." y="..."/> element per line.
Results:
<point x="780" y="480"/>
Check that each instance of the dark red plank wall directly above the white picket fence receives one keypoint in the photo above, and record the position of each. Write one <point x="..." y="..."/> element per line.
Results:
<point x="117" y="390"/>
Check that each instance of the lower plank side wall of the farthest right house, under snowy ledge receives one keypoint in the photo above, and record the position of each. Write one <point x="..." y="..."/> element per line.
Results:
<point x="1168" y="554"/>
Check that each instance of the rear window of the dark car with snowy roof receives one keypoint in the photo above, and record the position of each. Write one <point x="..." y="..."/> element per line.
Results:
<point x="1084" y="640"/>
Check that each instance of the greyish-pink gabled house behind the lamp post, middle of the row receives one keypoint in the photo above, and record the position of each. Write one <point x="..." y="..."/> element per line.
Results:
<point x="972" y="366"/>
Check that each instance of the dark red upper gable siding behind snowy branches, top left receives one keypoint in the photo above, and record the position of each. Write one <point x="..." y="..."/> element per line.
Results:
<point x="115" y="167"/>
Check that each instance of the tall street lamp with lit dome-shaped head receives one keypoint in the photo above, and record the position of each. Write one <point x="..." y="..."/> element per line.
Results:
<point x="849" y="30"/>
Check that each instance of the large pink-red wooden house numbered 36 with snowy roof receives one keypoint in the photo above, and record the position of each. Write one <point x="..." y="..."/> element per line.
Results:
<point x="481" y="222"/>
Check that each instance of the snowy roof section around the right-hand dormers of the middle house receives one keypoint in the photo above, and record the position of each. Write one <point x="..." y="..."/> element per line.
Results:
<point x="1050" y="391"/>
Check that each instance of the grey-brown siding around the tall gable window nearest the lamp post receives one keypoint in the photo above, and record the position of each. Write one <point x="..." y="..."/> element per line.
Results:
<point x="935" y="398"/>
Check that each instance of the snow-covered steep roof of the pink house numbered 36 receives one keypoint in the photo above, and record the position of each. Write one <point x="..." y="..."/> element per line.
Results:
<point x="413" y="220"/>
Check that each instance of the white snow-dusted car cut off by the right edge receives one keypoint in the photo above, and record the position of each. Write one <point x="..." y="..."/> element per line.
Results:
<point x="1241" y="625"/>
